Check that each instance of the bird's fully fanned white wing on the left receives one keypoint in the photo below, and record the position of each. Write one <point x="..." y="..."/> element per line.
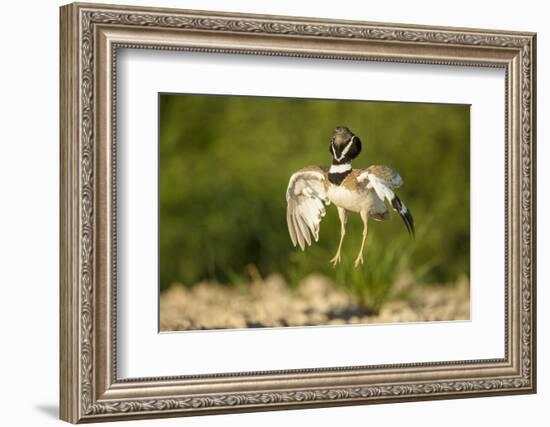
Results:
<point x="306" y="198"/>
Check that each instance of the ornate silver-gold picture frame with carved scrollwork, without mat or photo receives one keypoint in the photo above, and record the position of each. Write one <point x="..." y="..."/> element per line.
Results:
<point x="90" y="36"/>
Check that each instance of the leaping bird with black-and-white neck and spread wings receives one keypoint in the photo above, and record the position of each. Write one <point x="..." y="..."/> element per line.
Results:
<point x="363" y="191"/>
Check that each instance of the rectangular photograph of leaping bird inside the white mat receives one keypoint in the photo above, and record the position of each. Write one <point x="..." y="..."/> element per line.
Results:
<point x="291" y="212"/>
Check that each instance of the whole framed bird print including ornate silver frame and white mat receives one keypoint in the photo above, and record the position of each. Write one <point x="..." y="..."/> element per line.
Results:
<point x="265" y="212"/>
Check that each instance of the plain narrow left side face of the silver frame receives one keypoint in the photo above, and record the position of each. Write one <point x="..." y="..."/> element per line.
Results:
<point x="69" y="354"/>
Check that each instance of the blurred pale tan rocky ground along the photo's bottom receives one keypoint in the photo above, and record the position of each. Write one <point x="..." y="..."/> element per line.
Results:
<point x="316" y="301"/>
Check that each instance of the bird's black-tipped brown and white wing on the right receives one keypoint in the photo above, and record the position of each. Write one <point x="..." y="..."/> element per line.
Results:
<point x="383" y="180"/>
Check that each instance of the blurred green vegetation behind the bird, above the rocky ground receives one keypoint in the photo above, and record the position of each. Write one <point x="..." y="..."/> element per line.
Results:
<point x="225" y="162"/>
